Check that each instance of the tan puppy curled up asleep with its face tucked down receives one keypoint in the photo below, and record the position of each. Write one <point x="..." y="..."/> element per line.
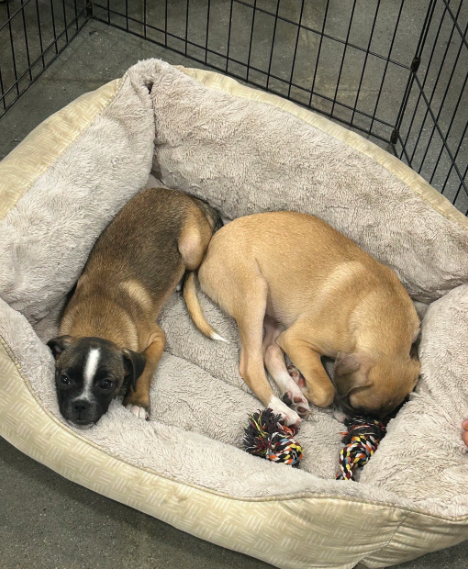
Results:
<point x="316" y="293"/>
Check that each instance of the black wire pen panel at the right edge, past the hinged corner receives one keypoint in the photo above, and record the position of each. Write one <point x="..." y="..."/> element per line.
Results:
<point x="433" y="135"/>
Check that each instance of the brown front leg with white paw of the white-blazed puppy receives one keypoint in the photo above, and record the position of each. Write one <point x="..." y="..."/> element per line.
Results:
<point x="138" y="402"/>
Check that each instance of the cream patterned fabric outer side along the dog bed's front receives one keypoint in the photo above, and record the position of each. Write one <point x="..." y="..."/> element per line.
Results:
<point x="292" y="533"/>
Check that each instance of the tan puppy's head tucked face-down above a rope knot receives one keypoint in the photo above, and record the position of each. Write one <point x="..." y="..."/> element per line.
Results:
<point x="374" y="387"/>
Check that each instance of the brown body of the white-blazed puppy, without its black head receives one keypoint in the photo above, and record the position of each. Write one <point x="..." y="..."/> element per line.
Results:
<point x="132" y="270"/>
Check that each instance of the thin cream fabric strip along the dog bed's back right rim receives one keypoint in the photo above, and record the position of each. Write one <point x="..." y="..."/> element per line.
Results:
<point x="431" y="196"/>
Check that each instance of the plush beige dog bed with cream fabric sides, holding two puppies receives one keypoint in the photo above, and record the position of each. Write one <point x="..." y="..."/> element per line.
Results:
<point x="245" y="152"/>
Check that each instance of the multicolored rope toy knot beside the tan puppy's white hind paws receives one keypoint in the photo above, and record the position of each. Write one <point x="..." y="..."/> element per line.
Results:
<point x="267" y="437"/>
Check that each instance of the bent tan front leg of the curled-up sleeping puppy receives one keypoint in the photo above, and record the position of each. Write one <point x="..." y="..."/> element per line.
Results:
<point x="319" y="389"/>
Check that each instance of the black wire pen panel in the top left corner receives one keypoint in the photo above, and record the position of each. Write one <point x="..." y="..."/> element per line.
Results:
<point x="32" y="34"/>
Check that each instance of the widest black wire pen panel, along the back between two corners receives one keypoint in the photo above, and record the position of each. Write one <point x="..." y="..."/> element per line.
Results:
<point x="347" y="59"/>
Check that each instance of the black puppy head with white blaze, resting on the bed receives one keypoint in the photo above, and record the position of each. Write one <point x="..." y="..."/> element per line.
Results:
<point x="89" y="373"/>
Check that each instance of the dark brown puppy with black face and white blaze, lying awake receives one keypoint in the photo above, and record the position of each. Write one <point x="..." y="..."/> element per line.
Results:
<point x="108" y="333"/>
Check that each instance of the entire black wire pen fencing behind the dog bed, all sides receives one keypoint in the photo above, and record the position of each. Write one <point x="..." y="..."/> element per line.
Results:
<point x="394" y="69"/>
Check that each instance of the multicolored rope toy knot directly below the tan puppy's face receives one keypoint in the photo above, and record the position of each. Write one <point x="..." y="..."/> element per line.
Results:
<point x="361" y="439"/>
